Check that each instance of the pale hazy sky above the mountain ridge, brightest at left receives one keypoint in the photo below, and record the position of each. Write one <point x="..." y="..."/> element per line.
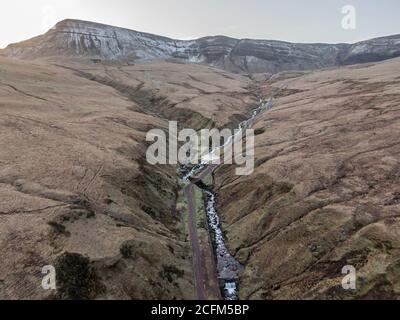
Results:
<point x="290" y="20"/>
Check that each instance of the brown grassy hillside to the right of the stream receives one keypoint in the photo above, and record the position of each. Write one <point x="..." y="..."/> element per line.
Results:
<point x="325" y="191"/>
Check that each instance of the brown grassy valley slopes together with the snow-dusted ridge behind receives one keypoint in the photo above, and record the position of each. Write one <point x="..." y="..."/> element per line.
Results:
<point x="77" y="193"/>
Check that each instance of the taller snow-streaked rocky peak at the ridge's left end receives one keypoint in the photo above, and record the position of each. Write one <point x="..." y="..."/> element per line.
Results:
<point x="80" y="38"/>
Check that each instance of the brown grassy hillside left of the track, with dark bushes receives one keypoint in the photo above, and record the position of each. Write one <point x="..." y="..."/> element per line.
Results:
<point x="75" y="184"/>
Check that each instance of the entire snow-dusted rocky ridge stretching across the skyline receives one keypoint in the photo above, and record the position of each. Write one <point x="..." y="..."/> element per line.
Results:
<point x="81" y="38"/>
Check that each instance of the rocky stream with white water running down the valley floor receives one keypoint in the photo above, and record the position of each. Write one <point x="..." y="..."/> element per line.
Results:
<point x="228" y="268"/>
